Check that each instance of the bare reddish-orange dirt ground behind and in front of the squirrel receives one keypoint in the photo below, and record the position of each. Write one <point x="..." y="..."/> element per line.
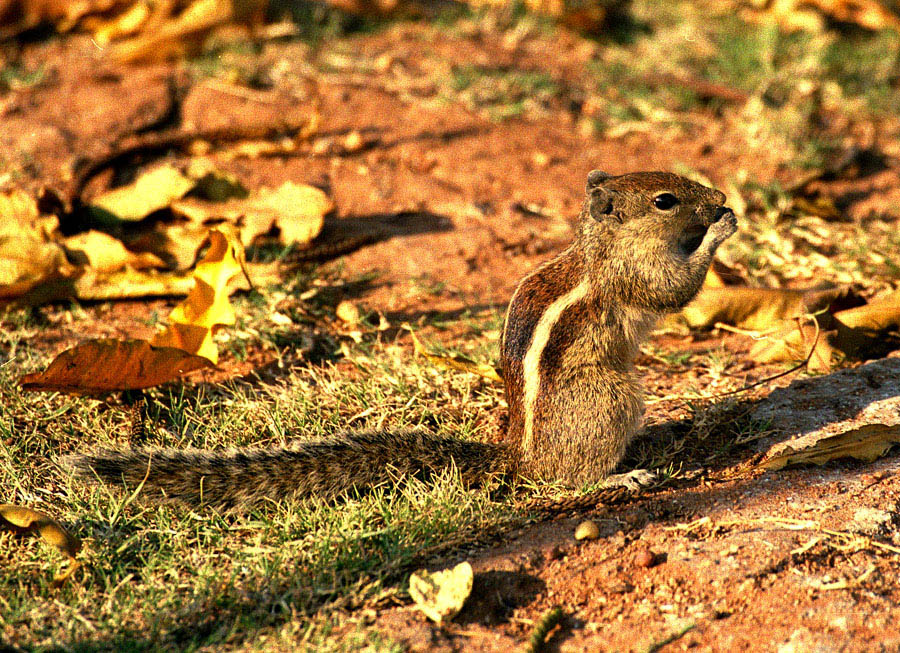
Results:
<point x="444" y="190"/>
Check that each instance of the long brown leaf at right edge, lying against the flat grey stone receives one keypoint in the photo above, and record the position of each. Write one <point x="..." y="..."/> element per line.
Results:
<point x="866" y="443"/>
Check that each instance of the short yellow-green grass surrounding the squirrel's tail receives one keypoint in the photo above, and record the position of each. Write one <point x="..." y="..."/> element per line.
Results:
<point x="174" y="578"/>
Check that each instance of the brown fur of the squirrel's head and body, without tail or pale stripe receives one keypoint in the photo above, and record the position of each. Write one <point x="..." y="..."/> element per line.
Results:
<point x="589" y="404"/>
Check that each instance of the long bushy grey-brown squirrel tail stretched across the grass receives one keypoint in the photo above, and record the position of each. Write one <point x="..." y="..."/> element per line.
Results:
<point x="233" y="478"/>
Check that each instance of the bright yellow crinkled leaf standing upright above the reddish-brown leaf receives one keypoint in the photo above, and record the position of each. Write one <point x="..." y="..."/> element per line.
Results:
<point x="194" y="321"/>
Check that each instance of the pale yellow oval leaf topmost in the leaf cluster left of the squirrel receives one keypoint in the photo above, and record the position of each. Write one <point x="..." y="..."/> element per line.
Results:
<point x="154" y="189"/>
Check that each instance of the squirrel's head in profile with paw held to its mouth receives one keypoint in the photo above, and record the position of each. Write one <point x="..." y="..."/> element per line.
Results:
<point x="647" y="233"/>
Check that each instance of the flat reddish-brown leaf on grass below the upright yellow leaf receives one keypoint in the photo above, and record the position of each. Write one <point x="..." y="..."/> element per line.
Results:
<point x="100" y="366"/>
